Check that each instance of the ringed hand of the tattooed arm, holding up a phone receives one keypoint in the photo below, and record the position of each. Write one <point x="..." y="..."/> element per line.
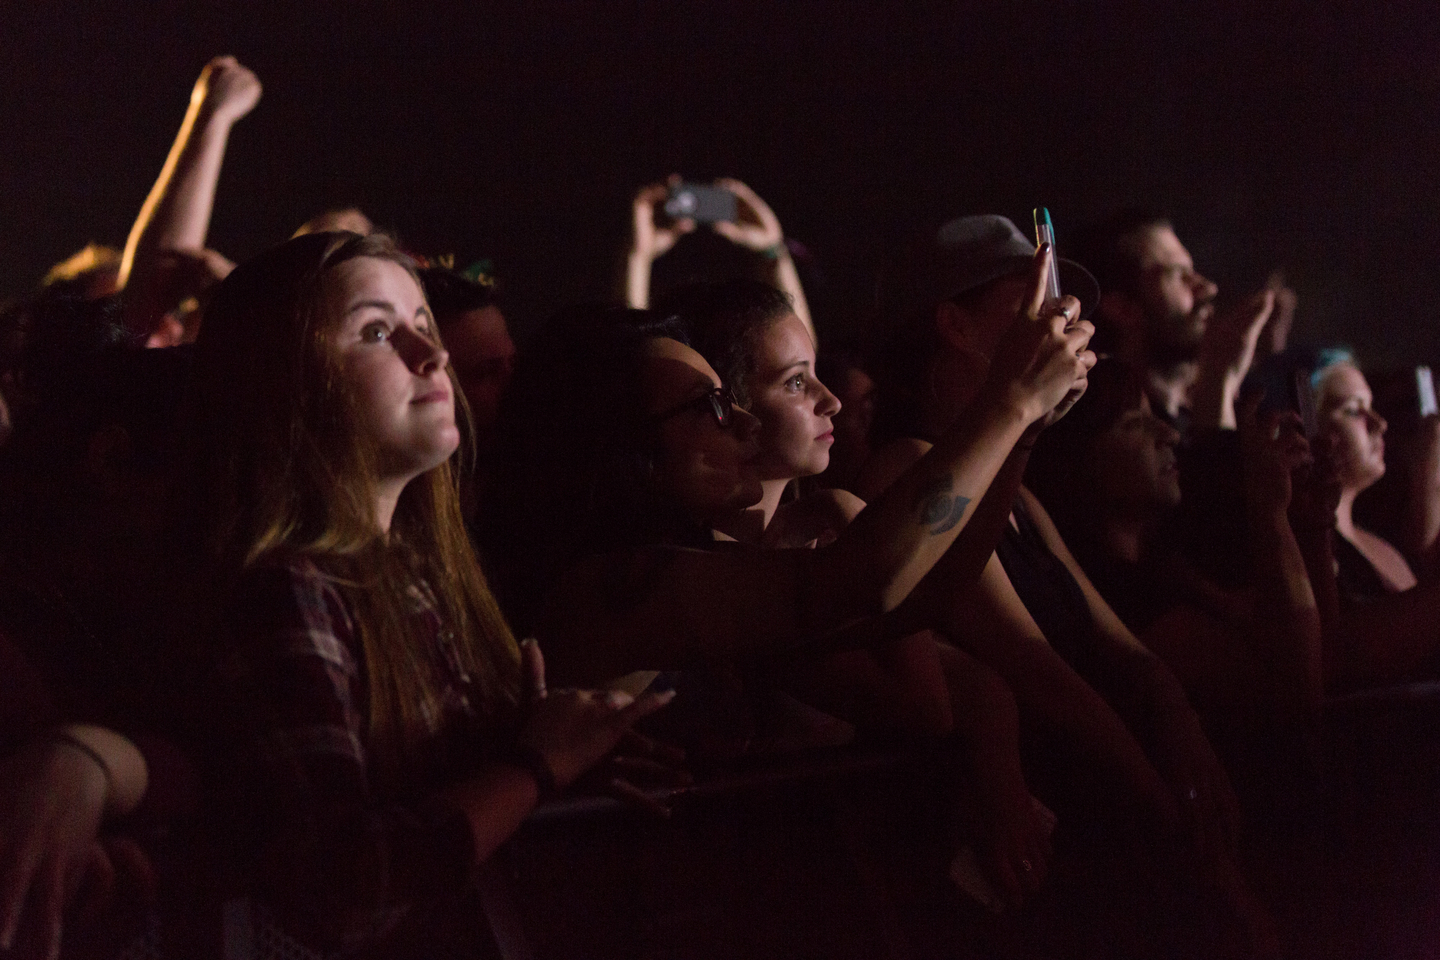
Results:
<point x="1042" y="362"/>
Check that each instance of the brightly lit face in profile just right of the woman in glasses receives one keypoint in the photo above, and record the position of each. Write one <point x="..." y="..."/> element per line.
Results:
<point x="794" y="408"/>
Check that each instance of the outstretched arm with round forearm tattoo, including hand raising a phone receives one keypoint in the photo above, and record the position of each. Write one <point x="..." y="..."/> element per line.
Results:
<point x="663" y="608"/>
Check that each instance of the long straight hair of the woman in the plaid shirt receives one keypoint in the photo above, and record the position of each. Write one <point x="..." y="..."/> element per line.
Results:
<point x="279" y="473"/>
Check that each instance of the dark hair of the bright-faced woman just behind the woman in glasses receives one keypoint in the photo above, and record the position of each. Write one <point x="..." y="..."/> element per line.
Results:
<point x="725" y="322"/>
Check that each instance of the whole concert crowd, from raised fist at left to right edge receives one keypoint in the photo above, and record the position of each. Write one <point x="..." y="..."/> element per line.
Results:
<point x="313" y="588"/>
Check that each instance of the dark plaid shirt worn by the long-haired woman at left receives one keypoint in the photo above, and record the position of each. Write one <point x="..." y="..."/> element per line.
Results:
<point x="342" y="854"/>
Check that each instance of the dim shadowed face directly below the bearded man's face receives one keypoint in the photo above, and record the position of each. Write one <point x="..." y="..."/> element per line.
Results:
<point x="1134" y="464"/>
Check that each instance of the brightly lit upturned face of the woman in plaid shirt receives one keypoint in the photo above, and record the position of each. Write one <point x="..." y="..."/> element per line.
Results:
<point x="392" y="365"/>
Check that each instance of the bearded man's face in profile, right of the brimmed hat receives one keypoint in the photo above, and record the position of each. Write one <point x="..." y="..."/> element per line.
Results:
<point x="1179" y="303"/>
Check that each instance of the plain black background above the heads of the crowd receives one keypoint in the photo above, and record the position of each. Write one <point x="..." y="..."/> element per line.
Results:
<point x="1278" y="135"/>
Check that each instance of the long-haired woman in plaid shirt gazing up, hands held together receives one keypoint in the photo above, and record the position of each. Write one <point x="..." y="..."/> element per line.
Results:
<point x="390" y="732"/>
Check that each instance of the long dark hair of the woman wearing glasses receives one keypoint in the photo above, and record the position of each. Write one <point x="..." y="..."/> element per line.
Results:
<point x="574" y="461"/>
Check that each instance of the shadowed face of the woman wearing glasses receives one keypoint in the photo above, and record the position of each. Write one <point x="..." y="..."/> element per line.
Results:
<point x="706" y="468"/>
